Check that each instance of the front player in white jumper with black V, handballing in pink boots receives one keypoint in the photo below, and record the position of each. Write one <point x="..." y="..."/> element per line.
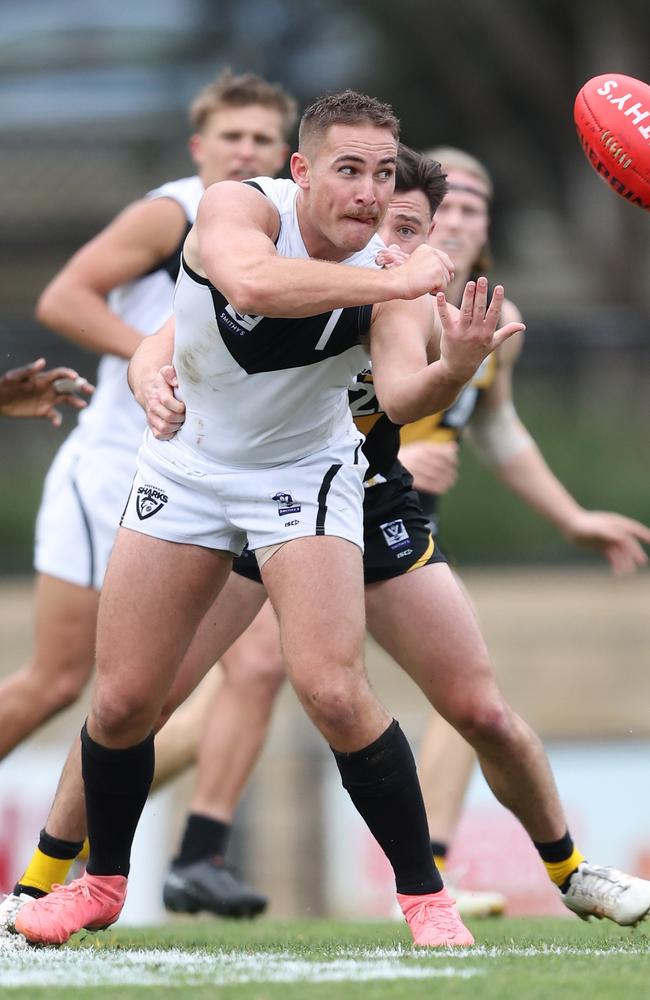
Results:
<point x="209" y="501"/>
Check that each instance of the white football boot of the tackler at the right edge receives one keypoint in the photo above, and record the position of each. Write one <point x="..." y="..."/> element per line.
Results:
<point x="606" y="892"/>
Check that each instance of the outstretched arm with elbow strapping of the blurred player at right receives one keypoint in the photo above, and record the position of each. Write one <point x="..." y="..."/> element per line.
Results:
<point x="500" y="438"/>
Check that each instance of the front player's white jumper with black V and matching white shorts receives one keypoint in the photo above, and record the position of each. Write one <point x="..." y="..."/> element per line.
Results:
<point x="268" y="450"/>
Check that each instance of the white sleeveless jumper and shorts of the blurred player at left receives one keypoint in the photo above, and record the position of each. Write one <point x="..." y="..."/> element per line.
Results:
<point x="87" y="485"/>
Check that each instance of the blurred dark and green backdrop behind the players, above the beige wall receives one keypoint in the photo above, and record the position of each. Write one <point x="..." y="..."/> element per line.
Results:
<point x="93" y="105"/>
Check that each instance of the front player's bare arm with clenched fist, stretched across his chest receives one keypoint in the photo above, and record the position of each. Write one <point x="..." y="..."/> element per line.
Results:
<point x="233" y="245"/>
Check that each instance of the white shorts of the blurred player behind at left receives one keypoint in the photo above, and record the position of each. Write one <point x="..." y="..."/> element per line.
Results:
<point x="83" y="498"/>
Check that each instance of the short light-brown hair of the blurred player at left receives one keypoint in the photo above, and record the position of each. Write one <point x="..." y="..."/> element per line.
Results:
<point x="229" y="90"/>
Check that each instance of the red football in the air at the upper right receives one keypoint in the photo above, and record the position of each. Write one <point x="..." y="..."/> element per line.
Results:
<point x="612" y="116"/>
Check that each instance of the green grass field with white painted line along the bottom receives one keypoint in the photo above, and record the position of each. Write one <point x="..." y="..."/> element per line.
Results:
<point x="534" y="959"/>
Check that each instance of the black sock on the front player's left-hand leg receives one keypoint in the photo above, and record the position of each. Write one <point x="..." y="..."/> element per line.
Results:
<point x="117" y="783"/>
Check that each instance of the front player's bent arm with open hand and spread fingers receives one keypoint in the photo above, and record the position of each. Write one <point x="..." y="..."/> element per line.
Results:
<point x="404" y="336"/>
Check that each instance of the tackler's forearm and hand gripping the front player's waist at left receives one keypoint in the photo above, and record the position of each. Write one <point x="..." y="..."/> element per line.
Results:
<point x="152" y="379"/>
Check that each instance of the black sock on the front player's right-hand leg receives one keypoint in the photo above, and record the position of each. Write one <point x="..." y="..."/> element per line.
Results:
<point x="383" y="784"/>
